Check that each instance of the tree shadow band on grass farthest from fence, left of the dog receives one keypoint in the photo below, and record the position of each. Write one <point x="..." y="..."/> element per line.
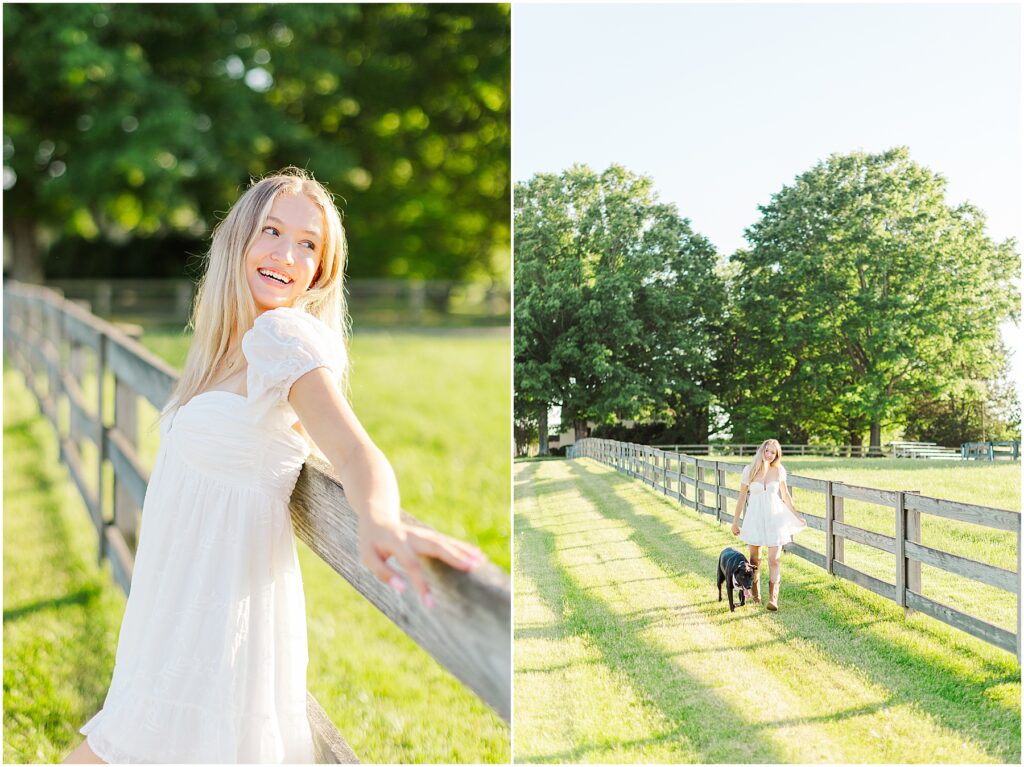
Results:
<point x="681" y="699"/>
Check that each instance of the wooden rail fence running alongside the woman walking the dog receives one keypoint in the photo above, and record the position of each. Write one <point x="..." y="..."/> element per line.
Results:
<point x="707" y="493"/>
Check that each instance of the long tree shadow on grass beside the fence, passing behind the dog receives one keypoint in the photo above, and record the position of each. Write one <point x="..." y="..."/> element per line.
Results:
<point x="956" y="701"/>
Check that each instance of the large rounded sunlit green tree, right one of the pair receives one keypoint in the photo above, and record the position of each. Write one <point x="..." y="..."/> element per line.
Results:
<point x="862" y="291"/>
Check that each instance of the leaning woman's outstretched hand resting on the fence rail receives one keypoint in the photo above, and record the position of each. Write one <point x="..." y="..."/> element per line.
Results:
<point x="380" y="542"/>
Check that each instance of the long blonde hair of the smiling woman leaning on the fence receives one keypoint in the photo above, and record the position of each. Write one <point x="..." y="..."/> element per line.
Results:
<point x="225" y="309"/>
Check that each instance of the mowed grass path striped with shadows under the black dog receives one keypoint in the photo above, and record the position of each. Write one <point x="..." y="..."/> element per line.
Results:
<point x="624" y="654"/>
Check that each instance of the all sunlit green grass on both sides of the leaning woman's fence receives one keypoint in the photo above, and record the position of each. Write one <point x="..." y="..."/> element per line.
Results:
<point x="438" y="406"/>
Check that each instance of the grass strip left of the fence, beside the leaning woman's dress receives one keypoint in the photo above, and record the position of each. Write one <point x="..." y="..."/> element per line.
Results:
<point x="62" y="613"/>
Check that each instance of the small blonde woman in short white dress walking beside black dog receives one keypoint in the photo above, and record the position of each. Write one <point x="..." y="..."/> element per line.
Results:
<point x="771" y="519"/>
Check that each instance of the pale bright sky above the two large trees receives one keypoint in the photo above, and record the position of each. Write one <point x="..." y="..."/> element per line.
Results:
<point x="723" y="105"/>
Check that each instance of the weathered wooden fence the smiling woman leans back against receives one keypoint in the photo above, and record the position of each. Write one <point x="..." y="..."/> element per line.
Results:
<point x="51" y="340"/>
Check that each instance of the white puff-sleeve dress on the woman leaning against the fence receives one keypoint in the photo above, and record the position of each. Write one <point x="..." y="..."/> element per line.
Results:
<point x="212" y="655"/>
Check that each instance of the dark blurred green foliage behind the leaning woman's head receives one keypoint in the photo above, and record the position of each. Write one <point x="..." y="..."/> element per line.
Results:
<point x="131" y="130"/>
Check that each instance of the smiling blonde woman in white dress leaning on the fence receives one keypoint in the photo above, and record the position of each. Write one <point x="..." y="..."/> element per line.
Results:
<point x="211" y="659"/>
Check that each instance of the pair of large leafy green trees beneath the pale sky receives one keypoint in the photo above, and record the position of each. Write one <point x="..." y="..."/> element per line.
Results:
<point x="865" y="302"/>
